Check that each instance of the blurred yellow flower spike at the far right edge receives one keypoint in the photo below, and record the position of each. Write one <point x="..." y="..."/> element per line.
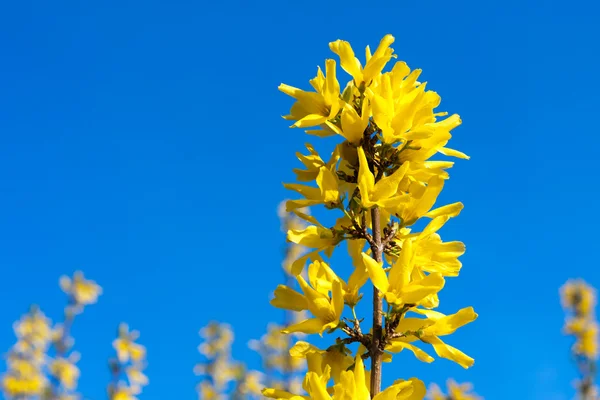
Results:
<point x="579" y="301"/>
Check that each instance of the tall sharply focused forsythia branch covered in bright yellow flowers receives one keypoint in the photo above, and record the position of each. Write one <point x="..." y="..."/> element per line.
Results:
<point x="382" y="180"/>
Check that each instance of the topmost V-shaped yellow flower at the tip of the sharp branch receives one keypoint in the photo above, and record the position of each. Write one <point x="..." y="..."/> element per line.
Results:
<point x="374" y="65"/>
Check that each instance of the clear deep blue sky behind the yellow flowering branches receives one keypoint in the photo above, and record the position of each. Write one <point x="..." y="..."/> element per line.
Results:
<point x="142" y="143"/>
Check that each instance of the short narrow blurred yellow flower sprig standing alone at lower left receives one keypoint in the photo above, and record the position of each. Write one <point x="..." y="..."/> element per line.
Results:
<point x="128" y="378"/>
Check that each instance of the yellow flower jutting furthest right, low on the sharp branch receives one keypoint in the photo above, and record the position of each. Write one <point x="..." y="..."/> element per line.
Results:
<point x="429" y="330"/>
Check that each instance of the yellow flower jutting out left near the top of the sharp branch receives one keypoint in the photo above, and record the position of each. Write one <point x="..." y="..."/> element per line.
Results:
<point x="315" y="108"/>
